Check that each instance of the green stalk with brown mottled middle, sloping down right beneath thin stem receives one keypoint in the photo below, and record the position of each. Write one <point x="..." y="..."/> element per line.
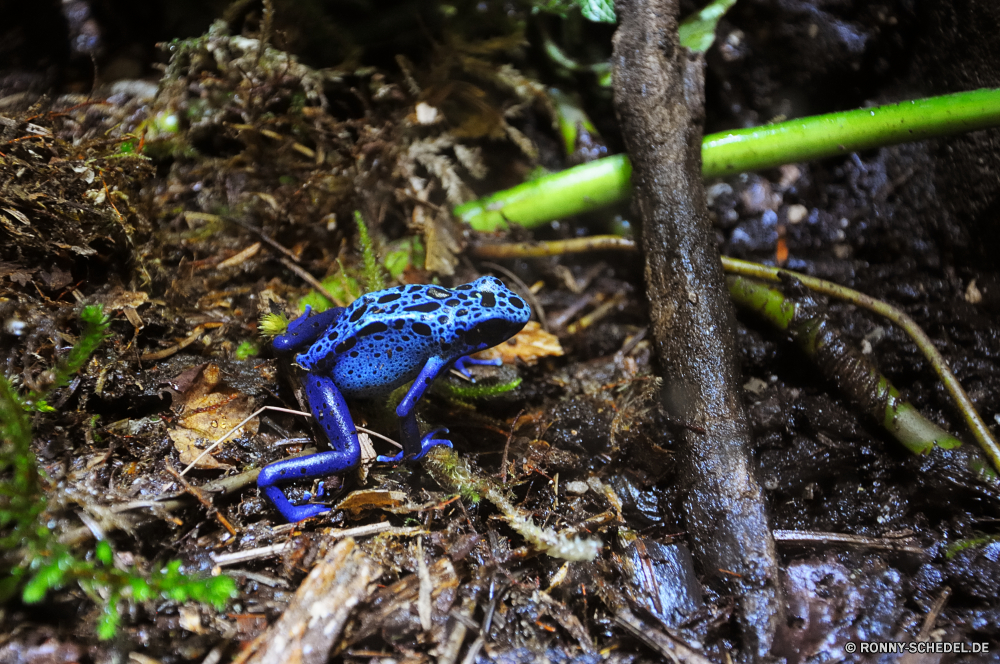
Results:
<point x="853" y="373"/>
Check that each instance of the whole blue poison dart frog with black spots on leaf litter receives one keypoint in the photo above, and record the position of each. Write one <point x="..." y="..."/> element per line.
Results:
<point x="381" y="341"/>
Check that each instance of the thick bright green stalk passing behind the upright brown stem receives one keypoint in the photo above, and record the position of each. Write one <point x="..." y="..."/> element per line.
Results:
<point x="605" y="181"/>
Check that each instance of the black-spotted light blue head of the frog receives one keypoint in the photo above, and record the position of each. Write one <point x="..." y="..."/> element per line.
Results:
<point x="495" y="314"/>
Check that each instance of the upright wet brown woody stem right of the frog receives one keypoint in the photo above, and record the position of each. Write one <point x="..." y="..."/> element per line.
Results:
<point x="659" y="99"/>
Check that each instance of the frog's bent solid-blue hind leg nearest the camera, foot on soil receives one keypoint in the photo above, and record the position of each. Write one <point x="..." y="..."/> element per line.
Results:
<point x="330" y="410"/>
